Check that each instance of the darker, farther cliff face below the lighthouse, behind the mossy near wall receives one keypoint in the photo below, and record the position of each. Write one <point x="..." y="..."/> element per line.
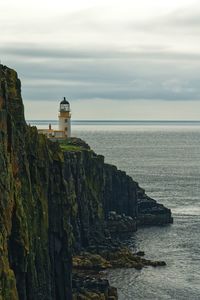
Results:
<point x="98" y="189"/>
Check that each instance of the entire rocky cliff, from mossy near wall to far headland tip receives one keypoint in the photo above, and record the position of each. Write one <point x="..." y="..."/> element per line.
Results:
<point x="55" y="200"/>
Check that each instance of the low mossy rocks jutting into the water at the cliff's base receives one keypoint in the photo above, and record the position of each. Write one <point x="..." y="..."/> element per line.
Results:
<point x="89" y="282"/>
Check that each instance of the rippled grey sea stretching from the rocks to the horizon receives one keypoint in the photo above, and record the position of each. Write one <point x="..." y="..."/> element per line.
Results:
<point x="164" y="157"/>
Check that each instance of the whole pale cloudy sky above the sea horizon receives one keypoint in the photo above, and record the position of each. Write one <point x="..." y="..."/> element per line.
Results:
<point x="130" y="60"/>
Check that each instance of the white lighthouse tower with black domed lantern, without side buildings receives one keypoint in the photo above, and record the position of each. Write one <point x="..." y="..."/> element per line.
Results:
<point x="65" y="118"/>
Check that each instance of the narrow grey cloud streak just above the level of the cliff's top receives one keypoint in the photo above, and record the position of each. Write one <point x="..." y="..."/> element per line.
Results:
<point x="35" y="51"/>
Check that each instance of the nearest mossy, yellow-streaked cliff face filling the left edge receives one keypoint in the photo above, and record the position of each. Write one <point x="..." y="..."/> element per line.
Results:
<point x="35" y="234"/>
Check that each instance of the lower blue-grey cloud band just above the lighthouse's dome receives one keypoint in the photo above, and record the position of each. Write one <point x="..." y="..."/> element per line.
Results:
<point x="129" y="87"/>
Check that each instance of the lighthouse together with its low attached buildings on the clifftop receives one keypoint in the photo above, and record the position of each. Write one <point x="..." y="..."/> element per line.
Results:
<point x="64" y="118"/>
